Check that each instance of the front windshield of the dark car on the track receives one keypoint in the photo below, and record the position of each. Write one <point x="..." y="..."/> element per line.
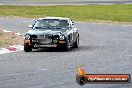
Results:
<point x="51" y="24"/>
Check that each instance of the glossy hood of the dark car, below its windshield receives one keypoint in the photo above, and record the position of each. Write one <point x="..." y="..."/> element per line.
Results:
<point x="45" y="32"/>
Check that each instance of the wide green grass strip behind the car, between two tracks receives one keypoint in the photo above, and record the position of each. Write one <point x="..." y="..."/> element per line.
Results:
<point x="121" y="13"/>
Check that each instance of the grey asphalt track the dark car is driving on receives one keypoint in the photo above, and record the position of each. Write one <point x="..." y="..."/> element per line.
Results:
<point x="104" y="48"/>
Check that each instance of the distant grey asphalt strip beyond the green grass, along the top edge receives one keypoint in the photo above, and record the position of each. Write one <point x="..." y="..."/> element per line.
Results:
<point x="81" y="2"/>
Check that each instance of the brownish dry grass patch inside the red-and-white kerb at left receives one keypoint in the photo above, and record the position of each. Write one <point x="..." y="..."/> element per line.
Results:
<point x="8" y="39"/>
